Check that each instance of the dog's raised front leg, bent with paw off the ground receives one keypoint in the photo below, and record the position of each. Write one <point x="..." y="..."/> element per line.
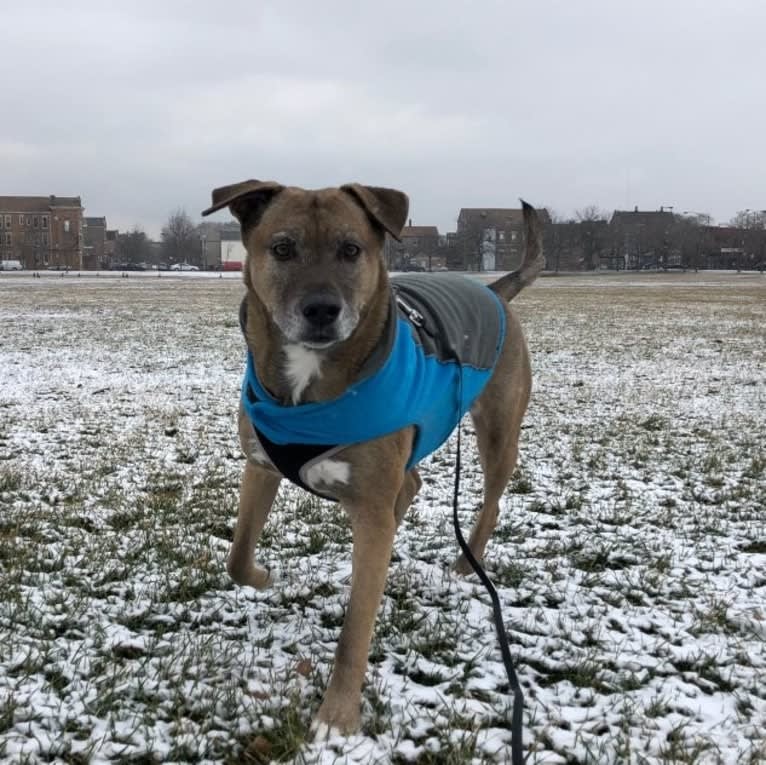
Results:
<point x="259" y="487"/>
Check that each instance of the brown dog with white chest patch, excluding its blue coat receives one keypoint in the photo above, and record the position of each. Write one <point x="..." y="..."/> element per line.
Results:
<point x="318" y="297"/>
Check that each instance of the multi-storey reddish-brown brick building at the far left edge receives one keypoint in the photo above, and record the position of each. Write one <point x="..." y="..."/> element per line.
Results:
<point x="42" y="232"/>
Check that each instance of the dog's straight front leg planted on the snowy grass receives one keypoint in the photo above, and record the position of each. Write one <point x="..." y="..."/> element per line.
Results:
<point x="373" y="530"/>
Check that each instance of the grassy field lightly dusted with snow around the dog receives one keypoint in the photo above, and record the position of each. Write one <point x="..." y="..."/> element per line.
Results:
<point x="630" y="557"/>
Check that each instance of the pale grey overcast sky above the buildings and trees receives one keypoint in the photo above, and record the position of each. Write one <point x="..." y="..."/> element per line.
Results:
<point x="143" y="108"/>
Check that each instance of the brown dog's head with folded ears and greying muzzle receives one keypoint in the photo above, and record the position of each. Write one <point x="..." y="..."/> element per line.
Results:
<point x="314" y="257"/>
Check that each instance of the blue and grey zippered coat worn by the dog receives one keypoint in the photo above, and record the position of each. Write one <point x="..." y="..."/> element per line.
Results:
<point x="441" y="342"/>
